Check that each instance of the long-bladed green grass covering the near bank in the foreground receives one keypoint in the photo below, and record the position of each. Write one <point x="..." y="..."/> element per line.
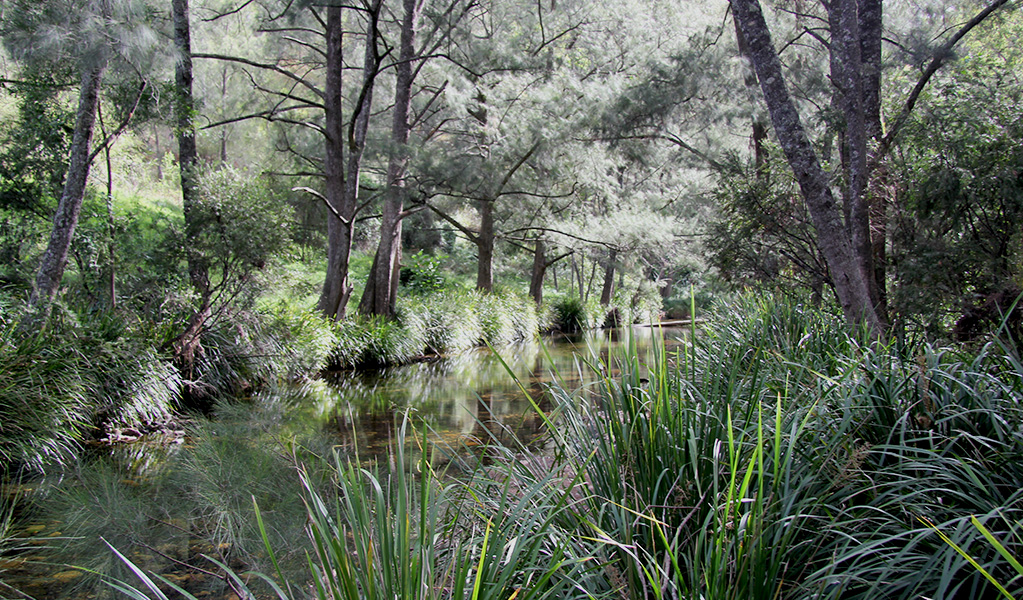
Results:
<point x="773" y="455"/>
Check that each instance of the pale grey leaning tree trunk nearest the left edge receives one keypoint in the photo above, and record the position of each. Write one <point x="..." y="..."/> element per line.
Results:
<point x="55" y="260"/>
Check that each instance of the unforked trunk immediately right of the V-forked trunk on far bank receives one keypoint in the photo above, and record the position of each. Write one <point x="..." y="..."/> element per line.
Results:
<point x="380" y="297"/>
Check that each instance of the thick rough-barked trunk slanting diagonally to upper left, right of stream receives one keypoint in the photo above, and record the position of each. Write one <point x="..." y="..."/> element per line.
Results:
<point x="833" y="237"/>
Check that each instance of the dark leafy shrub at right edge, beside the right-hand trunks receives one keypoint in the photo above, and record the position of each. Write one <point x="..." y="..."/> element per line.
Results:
<point x="958" y="244"/>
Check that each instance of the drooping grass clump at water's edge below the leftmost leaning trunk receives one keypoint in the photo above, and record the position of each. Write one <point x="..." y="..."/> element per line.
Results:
<point x="62" y="383"/>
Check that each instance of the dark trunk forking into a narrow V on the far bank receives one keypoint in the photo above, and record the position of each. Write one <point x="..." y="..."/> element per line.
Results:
<point x="342" y="186"/>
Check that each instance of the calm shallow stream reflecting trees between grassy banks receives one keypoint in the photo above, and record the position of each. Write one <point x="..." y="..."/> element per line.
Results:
<point x="168" y="503"/>
